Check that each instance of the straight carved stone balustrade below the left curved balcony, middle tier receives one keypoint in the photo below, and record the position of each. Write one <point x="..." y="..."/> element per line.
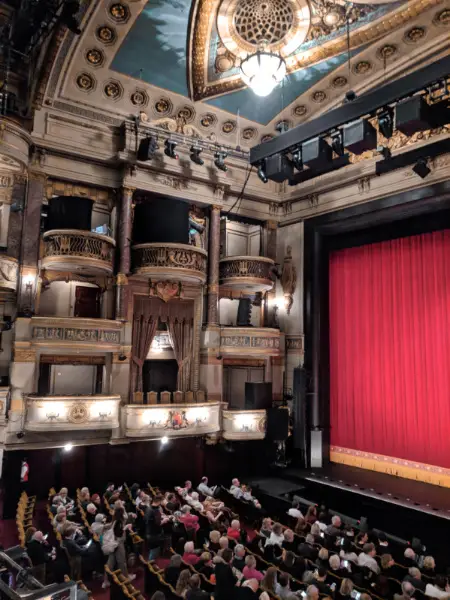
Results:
<point x="75" y="332"/>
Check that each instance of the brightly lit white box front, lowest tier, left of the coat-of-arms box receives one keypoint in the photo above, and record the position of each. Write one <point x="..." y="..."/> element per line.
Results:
<point x="66" y="413"/>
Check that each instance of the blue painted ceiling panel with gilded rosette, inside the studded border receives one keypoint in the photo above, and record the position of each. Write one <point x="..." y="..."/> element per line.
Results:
<point x="194" y="48"/>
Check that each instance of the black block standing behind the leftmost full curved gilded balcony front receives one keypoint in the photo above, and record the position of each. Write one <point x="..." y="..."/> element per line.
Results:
<point x="69" y="212"/>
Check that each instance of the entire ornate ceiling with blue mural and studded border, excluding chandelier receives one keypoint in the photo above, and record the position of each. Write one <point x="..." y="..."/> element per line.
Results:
<point x="170" y="58"/>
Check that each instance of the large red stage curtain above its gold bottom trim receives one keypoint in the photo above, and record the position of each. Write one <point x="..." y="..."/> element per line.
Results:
<point x="390" y="348"/>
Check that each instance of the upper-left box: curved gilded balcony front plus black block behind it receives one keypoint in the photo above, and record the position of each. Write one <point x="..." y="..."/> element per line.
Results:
<point x="69" y="243"/>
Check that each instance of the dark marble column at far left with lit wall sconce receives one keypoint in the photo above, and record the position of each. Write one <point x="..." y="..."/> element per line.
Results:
<point x="30" y="241"/>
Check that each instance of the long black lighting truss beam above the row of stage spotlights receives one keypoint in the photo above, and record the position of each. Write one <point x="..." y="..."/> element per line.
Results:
<point x="363" y="106"/>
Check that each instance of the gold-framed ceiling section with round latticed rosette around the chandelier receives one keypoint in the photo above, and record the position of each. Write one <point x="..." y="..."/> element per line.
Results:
<point x="223" y="32"/>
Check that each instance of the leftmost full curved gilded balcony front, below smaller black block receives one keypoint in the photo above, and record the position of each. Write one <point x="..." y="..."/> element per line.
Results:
<point x="75" y="250"/>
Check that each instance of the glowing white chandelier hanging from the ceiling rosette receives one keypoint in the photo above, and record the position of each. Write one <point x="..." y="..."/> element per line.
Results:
<point x="262" y="71"/>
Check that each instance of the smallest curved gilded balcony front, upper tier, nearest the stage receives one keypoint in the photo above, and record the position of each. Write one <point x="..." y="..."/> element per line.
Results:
<point x="246" y="273"/>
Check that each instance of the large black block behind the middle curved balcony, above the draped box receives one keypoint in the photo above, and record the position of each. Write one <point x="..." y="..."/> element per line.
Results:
<point x="161" y="220"/>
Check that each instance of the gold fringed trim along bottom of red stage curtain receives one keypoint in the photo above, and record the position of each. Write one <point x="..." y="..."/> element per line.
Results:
<point x="392" y="466"/>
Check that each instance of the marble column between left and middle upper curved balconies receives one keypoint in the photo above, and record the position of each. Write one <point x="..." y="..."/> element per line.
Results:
<point x="124" y="245"/>
